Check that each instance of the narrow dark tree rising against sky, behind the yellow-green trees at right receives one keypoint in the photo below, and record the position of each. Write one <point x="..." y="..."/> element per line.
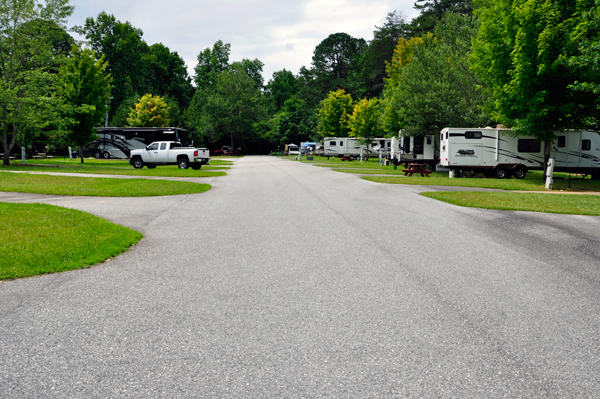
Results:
<point x="380" y="52"/>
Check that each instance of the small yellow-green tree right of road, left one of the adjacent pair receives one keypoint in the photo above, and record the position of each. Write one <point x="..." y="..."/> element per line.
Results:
<point x="334" y="113"/>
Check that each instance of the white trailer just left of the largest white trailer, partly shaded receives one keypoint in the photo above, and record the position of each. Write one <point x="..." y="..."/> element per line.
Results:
<point x="423" y="149"/>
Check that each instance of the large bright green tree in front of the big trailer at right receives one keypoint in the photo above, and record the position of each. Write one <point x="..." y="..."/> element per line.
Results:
<point x="520" y="52"/>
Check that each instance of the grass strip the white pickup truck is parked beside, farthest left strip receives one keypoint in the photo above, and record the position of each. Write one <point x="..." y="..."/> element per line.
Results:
<point x="117" y="167"/>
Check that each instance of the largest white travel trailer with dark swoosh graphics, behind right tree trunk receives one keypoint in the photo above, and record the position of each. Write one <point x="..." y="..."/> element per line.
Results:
<point x="495" y="153"/>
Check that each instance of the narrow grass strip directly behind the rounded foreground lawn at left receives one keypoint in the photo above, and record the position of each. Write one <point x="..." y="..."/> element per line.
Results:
<point x="95" y="186"/>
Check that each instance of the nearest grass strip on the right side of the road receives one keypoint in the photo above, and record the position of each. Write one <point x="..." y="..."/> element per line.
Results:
<point x="533" y="202"/>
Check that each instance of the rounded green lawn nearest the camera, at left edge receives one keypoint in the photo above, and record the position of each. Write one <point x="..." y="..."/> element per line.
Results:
<point x="39" y="239"/>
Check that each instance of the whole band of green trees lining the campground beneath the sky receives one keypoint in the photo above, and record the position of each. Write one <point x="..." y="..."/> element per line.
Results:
<point x="531" y="65"/>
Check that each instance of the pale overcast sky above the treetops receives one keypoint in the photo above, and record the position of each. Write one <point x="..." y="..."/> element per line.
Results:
<point x="281" y="34"/>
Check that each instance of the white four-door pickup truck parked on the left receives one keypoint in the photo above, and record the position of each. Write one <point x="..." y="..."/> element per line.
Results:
<point x="169" y="153"/>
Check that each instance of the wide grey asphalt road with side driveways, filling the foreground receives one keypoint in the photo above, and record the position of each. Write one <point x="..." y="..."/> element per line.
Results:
<point x="288" y="280"/>
